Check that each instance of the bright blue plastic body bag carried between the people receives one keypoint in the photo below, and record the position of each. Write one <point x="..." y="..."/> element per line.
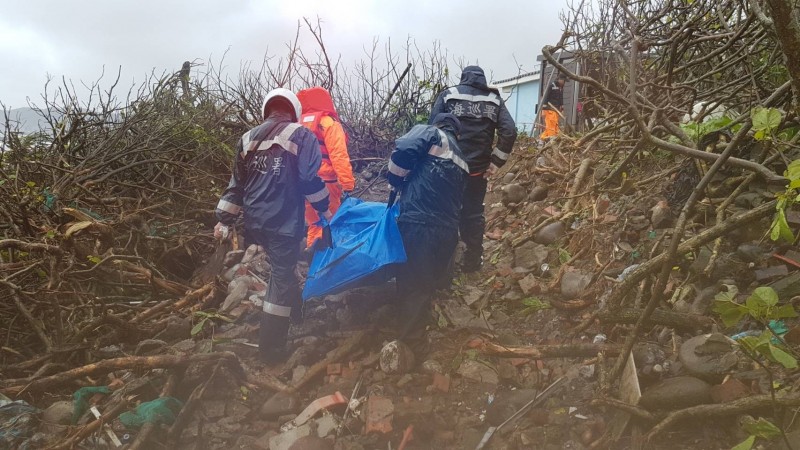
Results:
<point x="366" y="239"/>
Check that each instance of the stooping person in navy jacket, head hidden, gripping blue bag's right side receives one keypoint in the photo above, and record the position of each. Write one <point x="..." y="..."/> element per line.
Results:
<point x="428" y="169"/>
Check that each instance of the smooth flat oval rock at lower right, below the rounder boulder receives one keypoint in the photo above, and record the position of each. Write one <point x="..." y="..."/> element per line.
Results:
<point x="676" y="393"/>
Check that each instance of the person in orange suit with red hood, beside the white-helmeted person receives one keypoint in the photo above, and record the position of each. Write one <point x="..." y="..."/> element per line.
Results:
<point x="319" y="116"/>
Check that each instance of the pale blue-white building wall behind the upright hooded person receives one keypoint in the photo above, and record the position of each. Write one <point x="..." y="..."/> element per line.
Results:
<point x="521" y="94"/>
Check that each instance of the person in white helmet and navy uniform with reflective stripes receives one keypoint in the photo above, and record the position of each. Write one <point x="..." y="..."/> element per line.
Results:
<point x="274" y="172"/>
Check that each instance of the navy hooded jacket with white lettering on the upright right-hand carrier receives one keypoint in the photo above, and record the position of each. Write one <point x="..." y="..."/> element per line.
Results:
<point x="481" y="112"/>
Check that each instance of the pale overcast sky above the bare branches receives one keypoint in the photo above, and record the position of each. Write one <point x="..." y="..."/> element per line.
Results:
<point x="76" y="39"/>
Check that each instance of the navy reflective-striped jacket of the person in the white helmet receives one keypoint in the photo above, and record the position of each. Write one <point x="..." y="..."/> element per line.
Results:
<point x="275" y="168"/>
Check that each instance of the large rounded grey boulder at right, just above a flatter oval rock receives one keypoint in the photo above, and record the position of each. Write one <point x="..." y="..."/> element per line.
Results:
<point x="709" y="356"/>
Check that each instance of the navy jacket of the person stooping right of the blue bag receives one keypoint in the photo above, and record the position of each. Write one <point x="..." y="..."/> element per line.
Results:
<point x="429" y="170"/>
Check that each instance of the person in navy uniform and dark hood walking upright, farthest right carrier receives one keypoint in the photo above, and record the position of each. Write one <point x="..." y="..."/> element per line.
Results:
<point x="482" y="114"/>
